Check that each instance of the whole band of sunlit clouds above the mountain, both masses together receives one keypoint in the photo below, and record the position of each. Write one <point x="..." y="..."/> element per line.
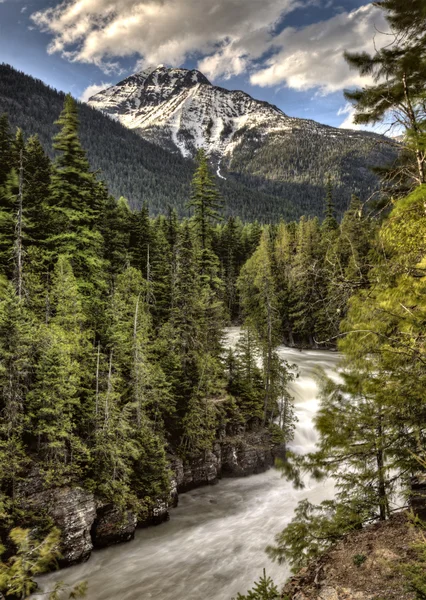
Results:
<point x="231" y="36"/>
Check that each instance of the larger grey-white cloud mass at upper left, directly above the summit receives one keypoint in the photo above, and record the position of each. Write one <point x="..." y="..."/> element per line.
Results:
<point x="162" y="31"/>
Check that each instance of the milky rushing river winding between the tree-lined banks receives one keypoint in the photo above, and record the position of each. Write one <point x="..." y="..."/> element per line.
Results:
<point x="213" y="545"/>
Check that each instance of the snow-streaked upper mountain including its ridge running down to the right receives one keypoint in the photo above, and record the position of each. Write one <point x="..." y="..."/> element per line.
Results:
<point x="182" y="111"/>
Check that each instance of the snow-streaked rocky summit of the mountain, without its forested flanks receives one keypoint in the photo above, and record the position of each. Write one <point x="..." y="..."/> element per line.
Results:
<point x="181" y="109"/>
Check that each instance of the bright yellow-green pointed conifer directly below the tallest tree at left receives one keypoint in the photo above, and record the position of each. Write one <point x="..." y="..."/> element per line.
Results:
<point x="58" y="400"/>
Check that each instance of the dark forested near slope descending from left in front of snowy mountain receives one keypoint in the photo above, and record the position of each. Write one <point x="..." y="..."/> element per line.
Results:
<point x="140" y="171"/>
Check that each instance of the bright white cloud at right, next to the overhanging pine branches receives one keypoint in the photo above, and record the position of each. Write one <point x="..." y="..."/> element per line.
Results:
<point x="312" y="57"/>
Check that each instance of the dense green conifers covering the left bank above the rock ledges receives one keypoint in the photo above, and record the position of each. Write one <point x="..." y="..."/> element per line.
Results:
<point x="111" y="328"/>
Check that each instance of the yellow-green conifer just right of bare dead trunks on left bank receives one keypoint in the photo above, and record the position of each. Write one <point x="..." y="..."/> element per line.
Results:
<point x="144" y="397"/>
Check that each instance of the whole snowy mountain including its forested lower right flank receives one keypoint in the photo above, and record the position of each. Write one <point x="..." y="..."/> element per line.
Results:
<point x="247" y="140"/>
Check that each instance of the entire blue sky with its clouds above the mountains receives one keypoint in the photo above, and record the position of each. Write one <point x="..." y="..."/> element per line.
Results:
<point x="288" y="52"/>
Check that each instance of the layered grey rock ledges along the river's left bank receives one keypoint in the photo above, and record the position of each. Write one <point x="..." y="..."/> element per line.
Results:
<point x="87" y="522"/>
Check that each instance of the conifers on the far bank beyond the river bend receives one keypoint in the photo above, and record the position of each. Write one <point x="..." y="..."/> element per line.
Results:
<point x="309" y="270"/>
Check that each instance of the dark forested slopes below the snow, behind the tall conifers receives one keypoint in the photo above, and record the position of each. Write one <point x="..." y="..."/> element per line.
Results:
<point x="284" y="177"/>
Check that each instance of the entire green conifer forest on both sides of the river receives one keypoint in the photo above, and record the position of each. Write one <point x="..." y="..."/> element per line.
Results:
<point x="111" y="330"/>
